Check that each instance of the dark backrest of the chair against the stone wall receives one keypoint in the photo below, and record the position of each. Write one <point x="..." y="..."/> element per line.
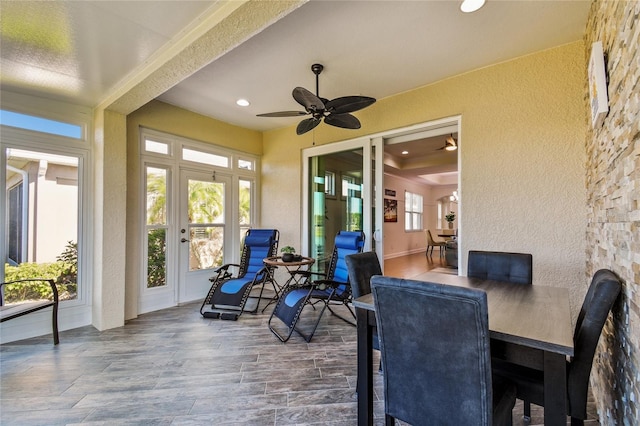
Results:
<point x="602" y="294"/>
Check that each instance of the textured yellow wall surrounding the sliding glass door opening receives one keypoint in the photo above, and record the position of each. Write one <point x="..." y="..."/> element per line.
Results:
<point x="522" y="158"/>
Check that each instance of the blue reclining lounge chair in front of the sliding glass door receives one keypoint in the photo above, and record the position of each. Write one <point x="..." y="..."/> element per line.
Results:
<point x="319" y="288"/>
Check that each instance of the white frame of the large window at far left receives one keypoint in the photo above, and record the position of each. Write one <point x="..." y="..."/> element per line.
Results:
<point x="72" y="313"/>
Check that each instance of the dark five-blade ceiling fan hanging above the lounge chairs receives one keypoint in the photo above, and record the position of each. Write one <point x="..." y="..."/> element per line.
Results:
<point x="335" y="112"/>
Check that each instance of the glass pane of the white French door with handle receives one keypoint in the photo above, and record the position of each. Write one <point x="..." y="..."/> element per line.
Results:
<point x="206" y="224"/>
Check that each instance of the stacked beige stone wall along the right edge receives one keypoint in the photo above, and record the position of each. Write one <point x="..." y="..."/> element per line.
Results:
<point x="613" y="208"/>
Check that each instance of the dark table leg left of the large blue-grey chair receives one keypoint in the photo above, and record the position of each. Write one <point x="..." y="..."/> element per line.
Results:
<point x="364" y="386"/>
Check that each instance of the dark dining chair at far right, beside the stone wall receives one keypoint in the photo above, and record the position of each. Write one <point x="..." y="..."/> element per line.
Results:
<point x="602" y="294"/>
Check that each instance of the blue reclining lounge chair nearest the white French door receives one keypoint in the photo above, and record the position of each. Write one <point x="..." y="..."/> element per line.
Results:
<point x="229" y="293"/>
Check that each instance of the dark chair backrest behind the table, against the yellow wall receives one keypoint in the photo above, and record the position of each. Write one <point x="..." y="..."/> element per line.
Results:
<point x="500" y="266"/>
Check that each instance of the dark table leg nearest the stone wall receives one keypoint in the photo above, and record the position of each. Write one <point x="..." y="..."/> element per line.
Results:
<point x="555" y="389"/>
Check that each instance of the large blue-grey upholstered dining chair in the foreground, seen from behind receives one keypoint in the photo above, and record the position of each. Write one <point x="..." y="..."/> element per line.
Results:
<point x="436" y="355"/>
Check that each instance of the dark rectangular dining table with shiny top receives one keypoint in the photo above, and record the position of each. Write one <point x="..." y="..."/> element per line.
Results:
<point x="528" y="324"/>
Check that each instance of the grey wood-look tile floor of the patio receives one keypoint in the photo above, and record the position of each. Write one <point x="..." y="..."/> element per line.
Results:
<point x="173" y="367"/>
